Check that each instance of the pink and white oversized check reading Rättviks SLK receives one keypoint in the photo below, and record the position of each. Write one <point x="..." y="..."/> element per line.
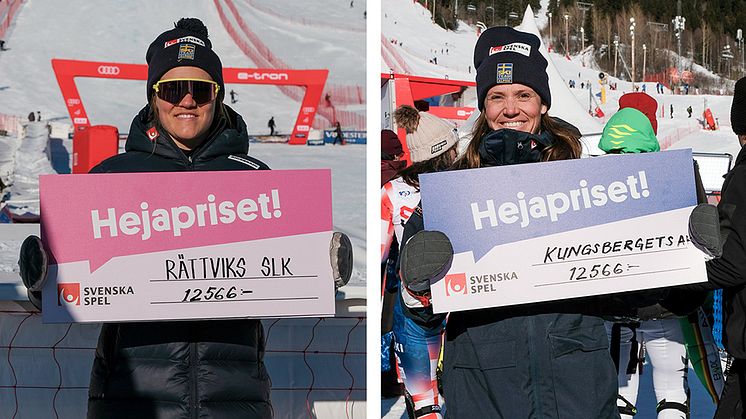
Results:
<point x="190" y="245"/>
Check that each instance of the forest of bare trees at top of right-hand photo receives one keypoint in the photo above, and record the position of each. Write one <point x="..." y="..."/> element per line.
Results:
<point x="708" y="38"/>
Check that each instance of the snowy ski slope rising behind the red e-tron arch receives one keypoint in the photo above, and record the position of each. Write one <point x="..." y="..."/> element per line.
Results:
<point x="121" y="32"/>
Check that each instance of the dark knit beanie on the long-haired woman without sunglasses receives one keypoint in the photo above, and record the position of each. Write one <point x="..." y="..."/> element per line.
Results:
<point x="504" y="55"/>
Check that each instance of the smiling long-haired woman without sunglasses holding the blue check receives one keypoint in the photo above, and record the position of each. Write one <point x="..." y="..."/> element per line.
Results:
<point x="538" y="361"/>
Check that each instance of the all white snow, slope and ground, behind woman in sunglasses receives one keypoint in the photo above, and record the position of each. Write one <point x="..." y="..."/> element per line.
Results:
<point x="121" y="32"/>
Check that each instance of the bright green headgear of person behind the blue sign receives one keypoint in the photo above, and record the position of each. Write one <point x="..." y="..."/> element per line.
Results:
<point x="628" y="131"/>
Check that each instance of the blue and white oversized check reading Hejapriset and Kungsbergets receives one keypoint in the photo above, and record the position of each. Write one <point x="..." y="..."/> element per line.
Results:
<point x="550" y="231"/>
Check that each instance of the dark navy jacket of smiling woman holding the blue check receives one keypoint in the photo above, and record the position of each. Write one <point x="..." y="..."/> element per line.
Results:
<point x="533" y="361"/>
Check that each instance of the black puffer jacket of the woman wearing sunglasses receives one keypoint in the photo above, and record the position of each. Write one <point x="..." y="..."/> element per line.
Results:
<point x="181" y="369"/>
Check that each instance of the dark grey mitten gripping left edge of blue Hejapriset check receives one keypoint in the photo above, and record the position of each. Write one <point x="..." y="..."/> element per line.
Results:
<point x="425" y="256"/>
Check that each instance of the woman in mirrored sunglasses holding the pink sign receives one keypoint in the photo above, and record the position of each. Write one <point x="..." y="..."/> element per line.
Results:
<point x="178" y="369"/>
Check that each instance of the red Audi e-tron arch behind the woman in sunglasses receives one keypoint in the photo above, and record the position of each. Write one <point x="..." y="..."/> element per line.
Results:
<point x="312" y="80"/>
